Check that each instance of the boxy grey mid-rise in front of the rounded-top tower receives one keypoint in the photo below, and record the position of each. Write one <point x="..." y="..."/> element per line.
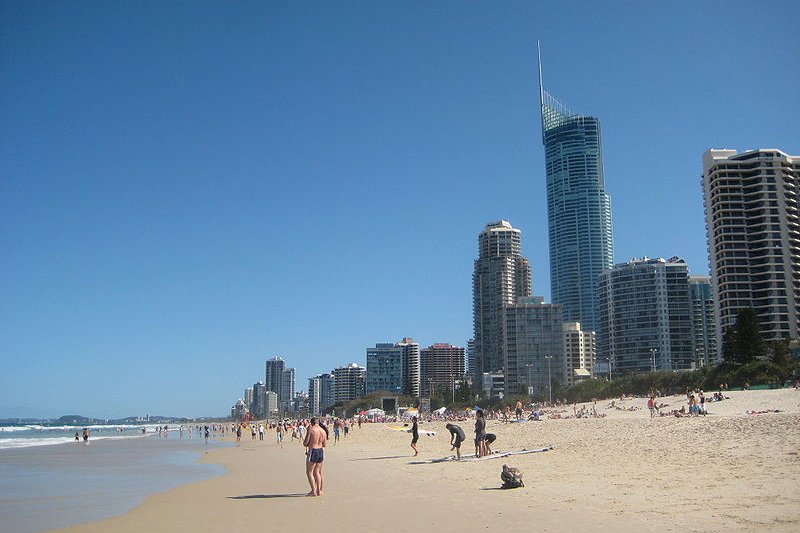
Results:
<point x="534" y="346"/>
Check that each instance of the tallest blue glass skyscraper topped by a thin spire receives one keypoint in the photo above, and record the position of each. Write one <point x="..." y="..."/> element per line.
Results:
<point x="578" y="208"/>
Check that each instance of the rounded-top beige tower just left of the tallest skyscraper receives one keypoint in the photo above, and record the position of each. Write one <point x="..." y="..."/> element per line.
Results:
<point x="501" y="275"/>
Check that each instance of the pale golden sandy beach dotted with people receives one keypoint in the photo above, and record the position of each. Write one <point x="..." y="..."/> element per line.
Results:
<point x="728" y="471"/>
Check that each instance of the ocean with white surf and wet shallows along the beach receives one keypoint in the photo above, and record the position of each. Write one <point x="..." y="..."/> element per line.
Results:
<point x="48" y="480"/>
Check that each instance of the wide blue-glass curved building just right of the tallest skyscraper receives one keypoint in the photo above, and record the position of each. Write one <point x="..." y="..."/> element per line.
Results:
<point x="645" y="316"/>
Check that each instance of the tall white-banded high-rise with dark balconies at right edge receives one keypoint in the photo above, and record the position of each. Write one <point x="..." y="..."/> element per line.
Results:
<point x="753" y="233"/>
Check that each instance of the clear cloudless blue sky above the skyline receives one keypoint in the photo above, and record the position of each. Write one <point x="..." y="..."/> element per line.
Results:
<point x="190" y="188"/>
